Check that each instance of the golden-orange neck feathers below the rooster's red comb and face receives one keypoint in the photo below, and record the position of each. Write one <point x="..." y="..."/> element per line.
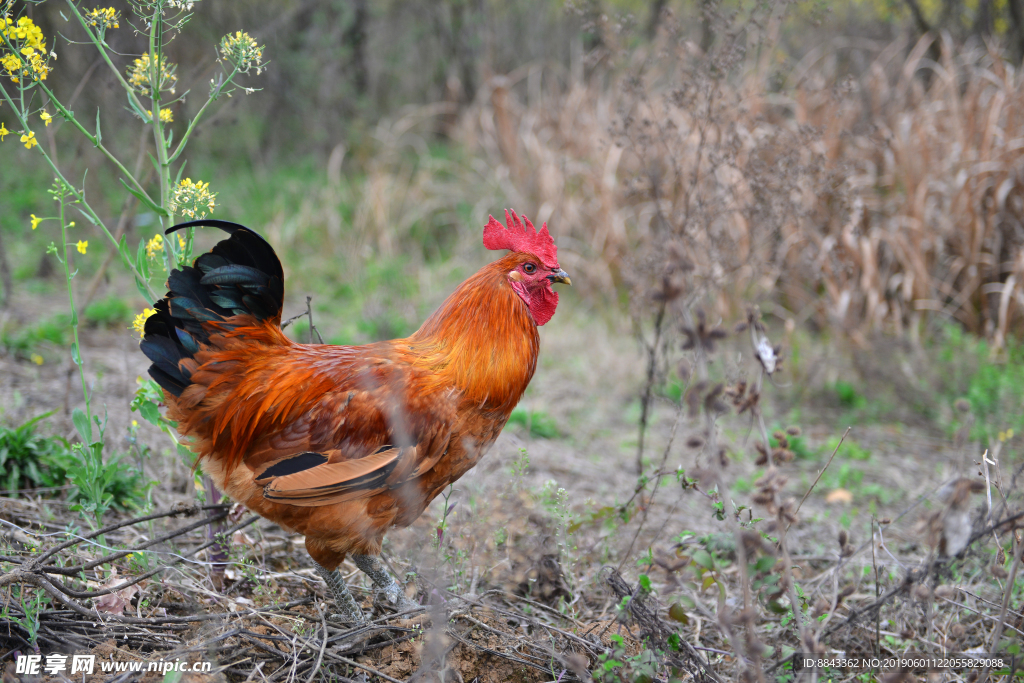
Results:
<point x="484" y="340"/>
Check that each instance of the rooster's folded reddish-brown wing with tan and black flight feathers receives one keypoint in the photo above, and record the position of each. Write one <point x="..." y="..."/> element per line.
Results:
<point x="383" y="425"/>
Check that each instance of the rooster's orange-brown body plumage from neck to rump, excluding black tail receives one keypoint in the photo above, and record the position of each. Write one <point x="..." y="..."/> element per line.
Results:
<point x="393" y="423"/>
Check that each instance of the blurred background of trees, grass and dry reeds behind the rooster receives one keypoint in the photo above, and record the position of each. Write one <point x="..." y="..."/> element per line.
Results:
<point x="846" y="165"/>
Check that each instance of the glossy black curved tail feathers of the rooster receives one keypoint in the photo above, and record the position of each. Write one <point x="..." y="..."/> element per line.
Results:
<point x="240" y="276"/>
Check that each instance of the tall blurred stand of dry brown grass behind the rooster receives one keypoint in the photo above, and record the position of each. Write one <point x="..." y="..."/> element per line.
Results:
<point x="873" y="203"/>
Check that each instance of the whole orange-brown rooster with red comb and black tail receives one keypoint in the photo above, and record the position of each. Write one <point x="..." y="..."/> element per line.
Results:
<point x="342" y="444"/>
